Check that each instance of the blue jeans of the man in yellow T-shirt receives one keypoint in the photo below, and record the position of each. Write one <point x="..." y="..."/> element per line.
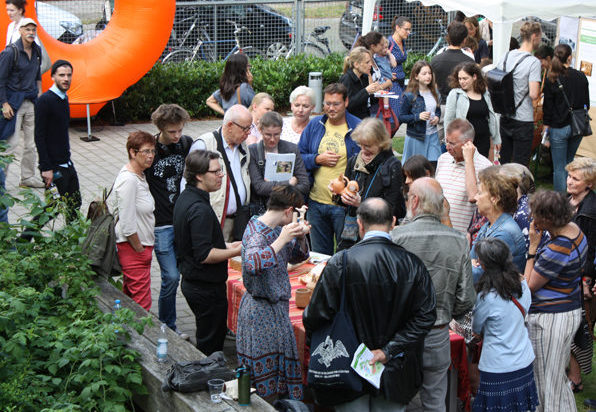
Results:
<point x="325" y="221"/>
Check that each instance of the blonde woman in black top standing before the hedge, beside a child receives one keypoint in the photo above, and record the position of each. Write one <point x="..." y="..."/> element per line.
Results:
<point x="356" y="78"/>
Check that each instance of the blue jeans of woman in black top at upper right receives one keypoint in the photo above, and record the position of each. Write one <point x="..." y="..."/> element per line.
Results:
<point x="562" y="148"/>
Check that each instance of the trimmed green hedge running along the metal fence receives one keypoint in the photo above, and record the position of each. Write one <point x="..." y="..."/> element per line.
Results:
<point x="190" y="84"/>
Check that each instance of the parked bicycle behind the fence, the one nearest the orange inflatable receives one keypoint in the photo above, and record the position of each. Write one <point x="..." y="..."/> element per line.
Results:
<point x="205" y="48"/>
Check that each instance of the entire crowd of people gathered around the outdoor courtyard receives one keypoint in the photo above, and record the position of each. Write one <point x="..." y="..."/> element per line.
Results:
<point x="447" y="241"/>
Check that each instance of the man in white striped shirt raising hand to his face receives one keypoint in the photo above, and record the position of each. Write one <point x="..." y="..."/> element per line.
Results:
<point x="457" y="172"/>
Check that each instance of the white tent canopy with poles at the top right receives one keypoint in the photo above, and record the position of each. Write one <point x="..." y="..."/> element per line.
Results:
<point x="502" y="13"/>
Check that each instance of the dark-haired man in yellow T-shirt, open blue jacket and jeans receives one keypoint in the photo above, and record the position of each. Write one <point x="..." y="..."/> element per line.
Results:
<point x="326" y="146"/>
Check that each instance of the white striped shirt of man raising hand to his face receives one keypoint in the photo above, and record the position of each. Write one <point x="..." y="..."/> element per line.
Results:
<point x="452" y="177"/>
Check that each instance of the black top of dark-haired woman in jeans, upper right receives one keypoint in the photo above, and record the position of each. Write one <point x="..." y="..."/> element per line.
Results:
<point x="556" y="110"/>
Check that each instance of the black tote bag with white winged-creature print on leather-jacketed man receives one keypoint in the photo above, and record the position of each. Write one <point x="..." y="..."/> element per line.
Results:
<point x="332" y="348"/>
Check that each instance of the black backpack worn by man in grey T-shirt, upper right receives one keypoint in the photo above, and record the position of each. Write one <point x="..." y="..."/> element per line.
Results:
<point x="500" y="87"/>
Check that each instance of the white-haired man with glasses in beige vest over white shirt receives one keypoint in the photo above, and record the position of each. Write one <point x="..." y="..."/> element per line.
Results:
<point x="230" y="201"/>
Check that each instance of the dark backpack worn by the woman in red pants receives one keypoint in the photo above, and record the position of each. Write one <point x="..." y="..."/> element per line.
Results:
<point x="100" y="241"/>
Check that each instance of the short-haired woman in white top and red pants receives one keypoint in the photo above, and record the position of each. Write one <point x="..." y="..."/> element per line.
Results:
<point x="136" y="222"/>
